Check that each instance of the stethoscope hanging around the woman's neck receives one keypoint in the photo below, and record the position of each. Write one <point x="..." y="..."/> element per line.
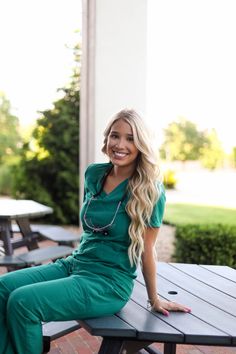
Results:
<point x="103" y="229"/>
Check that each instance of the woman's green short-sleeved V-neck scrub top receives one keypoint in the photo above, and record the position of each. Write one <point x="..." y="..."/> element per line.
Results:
<point x="107" y="254"/>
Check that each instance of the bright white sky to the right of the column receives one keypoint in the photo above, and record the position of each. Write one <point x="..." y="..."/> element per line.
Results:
<point x="192" y="64"/>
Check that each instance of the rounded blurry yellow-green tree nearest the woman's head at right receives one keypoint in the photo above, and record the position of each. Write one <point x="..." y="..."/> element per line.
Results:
<point x="182" y="141"/>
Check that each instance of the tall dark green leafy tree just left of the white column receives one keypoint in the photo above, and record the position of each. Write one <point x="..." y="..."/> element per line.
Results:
<point x="49" y="168"/>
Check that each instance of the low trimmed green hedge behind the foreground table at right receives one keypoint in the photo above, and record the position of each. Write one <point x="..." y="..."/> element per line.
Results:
<point x="206" y="244"/>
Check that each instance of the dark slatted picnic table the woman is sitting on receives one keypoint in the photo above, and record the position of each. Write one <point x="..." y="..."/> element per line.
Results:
<point x="209" y="290"/>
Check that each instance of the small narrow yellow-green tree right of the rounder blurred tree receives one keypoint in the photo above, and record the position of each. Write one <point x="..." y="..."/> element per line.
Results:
<point x="211" y="153"/>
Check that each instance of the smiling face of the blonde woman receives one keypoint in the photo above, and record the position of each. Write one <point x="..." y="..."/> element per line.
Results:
<point x="120" y="145"/>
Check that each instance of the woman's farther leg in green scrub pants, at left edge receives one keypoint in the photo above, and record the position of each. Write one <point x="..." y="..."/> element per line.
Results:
<point x="11" y="281"/>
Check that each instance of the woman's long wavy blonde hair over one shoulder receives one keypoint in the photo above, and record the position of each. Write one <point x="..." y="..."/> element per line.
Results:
<point x="142" y="185"/>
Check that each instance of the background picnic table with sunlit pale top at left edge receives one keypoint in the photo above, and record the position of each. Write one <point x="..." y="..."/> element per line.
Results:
<point x="21" y="211"/>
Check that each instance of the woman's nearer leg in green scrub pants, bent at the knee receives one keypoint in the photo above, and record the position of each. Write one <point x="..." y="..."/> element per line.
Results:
<point x="74" y="297"/>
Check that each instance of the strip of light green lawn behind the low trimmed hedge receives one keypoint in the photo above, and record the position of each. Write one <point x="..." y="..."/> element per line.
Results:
<point x="198" y="214"/>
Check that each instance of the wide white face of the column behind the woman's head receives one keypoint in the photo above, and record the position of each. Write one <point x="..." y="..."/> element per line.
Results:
<point x="120" y="65"/>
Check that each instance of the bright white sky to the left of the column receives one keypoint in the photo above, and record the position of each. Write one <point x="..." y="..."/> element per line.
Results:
<point x="35" y="60"/>
